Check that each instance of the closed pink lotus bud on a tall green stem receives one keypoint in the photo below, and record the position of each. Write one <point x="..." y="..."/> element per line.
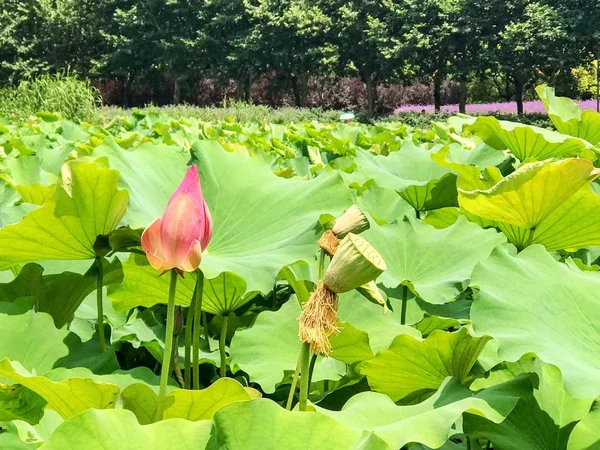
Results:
<point x="176" y="241"/>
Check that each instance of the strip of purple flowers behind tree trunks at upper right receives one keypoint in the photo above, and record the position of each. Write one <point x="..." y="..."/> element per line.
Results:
<point x="531" y="107"/>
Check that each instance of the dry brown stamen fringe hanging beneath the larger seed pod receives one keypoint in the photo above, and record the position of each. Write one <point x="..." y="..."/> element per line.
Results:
<point x="318" y="319"/>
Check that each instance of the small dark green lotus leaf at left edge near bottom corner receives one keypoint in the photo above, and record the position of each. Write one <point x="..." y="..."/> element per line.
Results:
<point x="19" y="403"/>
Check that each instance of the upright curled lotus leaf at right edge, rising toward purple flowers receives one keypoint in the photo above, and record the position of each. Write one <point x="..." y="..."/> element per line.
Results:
<point x="568" y="118"/>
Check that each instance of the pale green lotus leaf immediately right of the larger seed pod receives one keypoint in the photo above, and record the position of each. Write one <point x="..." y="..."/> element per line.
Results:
<point x="436" y="264"/>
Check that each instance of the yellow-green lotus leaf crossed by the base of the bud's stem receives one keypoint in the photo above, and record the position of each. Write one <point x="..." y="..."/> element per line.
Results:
<point x="184" y="404"/>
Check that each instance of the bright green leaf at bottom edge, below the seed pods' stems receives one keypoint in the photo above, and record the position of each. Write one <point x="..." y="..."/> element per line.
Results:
<point x="262" y="424"/>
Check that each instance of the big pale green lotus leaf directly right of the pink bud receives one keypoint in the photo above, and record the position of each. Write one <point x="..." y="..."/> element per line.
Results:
<point x="274" y="225"/>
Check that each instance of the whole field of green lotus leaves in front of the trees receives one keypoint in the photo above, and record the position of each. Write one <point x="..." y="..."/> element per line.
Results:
<point x="469" y="317"/>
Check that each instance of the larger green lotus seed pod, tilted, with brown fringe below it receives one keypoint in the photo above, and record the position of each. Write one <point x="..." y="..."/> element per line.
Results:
<point x="355" y="263"/>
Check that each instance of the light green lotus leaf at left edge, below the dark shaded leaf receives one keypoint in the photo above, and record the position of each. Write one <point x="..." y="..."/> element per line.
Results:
<point x="30" y="338"/>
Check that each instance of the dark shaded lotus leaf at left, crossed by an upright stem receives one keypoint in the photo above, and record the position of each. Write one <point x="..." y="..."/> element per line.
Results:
<point x="58" y="294"/>
